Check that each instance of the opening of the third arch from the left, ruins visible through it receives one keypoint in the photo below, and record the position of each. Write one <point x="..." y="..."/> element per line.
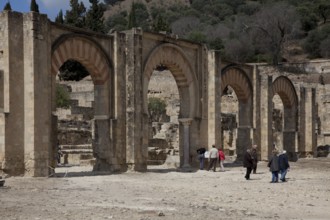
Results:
<point x="229" y="122"/>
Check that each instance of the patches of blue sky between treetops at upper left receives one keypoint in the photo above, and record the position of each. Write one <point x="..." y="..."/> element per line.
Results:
<point x="49" y="7"/>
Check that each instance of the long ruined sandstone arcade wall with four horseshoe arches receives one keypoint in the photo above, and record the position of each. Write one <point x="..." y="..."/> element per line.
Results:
<point x="32" y="49"/>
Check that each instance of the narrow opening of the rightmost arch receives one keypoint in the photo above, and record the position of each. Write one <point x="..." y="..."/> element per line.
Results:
<point x="277" y="122"/>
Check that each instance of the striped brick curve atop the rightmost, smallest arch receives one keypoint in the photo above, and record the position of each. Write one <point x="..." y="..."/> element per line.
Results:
<point x="285" y="89"/>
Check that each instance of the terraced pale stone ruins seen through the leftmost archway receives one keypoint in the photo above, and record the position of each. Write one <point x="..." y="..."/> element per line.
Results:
<point x="76" y="125"/>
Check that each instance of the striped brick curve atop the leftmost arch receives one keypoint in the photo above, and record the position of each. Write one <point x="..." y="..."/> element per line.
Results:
<point x="85" y="51"/>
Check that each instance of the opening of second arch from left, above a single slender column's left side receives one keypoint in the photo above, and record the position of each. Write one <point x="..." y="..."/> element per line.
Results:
<point x="163" y="111"/>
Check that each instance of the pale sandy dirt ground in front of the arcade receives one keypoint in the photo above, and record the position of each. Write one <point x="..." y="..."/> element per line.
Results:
<point x="166" y="193"/>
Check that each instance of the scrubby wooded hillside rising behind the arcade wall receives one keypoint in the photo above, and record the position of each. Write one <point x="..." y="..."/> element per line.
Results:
<point x="244" y="31"/>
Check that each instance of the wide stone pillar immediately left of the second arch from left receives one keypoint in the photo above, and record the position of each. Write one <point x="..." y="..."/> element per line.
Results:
<point x="135" y="149"/>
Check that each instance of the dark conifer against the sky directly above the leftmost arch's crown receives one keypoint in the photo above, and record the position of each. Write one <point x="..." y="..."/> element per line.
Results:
<point x="76" y="15"/>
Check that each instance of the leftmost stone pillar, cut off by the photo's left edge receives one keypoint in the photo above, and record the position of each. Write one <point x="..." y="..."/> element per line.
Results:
<point x="12" y="94"/>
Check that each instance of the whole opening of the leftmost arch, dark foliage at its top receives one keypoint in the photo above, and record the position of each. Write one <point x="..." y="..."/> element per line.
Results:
<point x="75" y="117"/>
